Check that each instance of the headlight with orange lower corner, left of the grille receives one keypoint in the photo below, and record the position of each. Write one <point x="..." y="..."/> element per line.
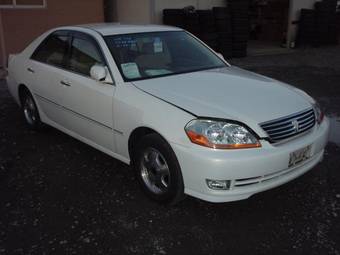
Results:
<point x="220" y="134"/>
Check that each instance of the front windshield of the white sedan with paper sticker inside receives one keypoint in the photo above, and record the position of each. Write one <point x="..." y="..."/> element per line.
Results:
<point x="149" y="55"/>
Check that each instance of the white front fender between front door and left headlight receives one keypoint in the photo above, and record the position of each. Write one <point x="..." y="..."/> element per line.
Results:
<point x="133" y="108"/>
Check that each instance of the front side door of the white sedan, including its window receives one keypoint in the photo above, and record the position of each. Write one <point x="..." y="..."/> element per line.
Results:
<point x="88" y="103"/>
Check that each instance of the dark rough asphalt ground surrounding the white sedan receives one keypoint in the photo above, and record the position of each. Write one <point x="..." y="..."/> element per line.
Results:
<point x="60" y="196"/>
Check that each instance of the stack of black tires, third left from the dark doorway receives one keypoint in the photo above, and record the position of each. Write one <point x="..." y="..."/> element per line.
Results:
<point x="207" y="28"/>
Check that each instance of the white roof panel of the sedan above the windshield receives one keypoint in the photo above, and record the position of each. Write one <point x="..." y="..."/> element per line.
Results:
<point x="118" y="28"/>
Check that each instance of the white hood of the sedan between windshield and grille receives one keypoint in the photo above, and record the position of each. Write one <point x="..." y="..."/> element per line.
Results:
<point x="228" y="93"/>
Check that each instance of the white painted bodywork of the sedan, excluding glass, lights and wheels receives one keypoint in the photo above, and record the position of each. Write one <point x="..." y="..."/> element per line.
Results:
<point x="105" y="115"/>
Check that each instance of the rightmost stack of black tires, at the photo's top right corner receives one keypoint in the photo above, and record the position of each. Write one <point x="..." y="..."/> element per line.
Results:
<point x="326" y="22"/>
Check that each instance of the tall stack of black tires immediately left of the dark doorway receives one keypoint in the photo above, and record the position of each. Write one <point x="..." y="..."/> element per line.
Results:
<point x="239" y="10"/>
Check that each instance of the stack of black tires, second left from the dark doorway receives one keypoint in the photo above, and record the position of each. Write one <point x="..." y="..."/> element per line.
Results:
<point x="223" y="31"/>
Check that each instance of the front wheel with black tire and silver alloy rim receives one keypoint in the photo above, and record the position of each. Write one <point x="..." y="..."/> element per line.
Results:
<point x="158" y="171"/>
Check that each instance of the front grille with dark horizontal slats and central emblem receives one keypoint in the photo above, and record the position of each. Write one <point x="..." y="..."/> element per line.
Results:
<point x="289" y="126"/>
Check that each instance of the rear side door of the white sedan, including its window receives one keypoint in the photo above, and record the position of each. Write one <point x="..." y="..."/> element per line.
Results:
<point x="45" y="70"/>
